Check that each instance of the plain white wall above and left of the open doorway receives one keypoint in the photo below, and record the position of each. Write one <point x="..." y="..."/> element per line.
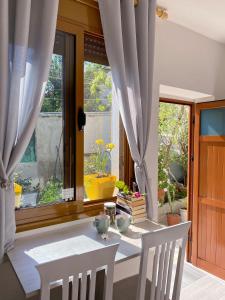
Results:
<point x="186" y="60"/>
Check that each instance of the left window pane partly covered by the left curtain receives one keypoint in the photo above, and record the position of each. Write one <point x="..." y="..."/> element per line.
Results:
<point x="39" y="175"/>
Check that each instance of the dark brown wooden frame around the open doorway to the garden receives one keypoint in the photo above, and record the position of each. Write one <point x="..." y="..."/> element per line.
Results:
<point x="190" y="162"/>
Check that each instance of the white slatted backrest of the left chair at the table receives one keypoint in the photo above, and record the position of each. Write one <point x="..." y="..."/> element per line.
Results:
<point x="76" y="269"/>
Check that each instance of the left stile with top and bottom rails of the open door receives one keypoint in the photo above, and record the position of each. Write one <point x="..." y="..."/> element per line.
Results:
<point x="195" y="211"/>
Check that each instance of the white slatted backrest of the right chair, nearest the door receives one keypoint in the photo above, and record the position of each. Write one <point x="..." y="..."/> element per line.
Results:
<point x="164" y="241"/>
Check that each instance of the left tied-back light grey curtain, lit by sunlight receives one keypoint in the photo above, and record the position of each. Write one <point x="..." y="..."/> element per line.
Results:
<point x="27" y="32"/>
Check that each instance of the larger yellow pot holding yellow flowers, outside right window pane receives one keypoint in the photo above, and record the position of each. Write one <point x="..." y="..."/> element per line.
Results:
<point x="99" y="187"/>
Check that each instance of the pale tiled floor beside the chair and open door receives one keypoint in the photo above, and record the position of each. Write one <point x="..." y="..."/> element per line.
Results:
<point x="199" y="285"/>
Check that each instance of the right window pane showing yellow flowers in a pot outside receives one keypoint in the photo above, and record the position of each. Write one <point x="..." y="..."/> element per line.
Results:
<point x="101" y="135"/>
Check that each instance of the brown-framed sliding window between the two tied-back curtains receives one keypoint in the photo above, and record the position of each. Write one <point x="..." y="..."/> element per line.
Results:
<point x="52" y="185"/>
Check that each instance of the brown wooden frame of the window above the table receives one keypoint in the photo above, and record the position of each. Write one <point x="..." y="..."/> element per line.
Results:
<point x="32" y="218"/>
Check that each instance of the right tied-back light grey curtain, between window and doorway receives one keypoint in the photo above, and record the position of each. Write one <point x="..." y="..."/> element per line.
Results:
<point x="129" y="34"/>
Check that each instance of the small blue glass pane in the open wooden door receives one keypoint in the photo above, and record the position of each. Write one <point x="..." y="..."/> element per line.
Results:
<point x="213" y="121"/>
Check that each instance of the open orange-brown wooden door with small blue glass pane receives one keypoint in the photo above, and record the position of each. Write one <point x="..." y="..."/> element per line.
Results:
<point x="208" y="251"/>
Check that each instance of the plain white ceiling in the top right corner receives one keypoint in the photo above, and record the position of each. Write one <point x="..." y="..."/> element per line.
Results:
<point x="206" y="17"/>
